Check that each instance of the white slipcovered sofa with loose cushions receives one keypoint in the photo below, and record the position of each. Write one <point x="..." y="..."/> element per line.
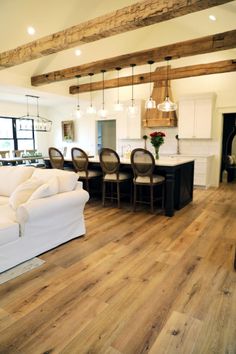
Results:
<point x="39" y="210"/>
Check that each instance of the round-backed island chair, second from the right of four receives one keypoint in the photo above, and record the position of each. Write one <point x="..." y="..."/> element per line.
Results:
<point x="110" y="164"/>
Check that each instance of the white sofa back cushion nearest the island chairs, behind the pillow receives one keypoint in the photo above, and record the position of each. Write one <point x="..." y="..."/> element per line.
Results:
<point x="67" y="181"/>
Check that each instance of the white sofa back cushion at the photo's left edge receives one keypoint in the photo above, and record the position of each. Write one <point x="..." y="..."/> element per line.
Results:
<point x="13" y="176"/>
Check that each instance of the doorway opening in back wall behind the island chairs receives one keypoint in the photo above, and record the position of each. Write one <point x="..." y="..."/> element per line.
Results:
<point x="106" y="134"/>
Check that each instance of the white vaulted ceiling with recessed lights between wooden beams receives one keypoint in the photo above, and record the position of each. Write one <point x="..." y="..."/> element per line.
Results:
<point x="49" y="16"/>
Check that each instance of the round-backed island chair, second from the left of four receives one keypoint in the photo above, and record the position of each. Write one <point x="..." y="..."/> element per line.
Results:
<point x="80" y="162"/>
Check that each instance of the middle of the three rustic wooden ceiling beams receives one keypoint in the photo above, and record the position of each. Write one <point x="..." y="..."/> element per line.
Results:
<point x="203" y="45"/>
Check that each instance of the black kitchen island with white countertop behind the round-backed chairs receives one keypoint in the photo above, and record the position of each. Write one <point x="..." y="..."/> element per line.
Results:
<point x="177" y="170"/>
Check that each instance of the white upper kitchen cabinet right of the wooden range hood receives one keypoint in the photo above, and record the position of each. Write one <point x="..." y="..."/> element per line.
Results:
<point x="195" y="116"/>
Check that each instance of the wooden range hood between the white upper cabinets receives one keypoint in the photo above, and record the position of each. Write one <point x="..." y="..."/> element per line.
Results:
<point x="155" y="118"/>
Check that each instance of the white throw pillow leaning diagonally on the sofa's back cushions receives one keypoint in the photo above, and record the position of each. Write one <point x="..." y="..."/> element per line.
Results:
<point x="23" y="192"/>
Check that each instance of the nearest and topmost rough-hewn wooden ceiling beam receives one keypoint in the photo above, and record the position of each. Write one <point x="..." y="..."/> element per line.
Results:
<point x="141" y="14"/>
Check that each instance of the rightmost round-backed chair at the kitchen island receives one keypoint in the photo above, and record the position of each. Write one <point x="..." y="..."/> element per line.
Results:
<point x="143" y="164"/>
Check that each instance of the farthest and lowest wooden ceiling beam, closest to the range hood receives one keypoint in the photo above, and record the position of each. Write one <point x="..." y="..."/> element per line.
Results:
<point x="160" y="74"/>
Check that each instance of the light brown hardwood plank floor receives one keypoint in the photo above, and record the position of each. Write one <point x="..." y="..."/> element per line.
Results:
<point x="136" y="283"/>
